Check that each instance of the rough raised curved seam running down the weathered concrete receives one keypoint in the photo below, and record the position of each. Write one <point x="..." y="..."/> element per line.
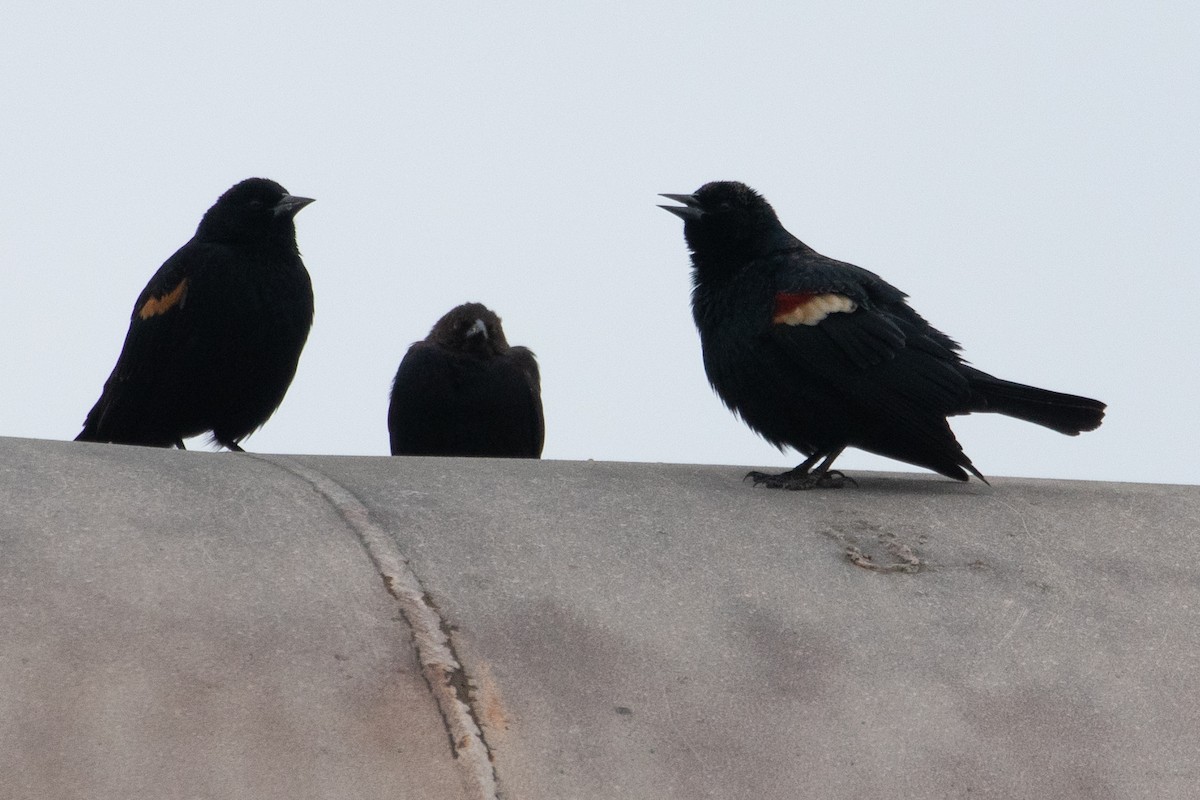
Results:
<point x="443" y="671"/>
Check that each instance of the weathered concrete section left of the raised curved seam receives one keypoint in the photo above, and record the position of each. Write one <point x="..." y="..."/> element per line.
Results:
<point x="199" y="625"/>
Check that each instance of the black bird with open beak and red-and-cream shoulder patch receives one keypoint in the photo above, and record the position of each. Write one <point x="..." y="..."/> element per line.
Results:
<point x="821" y="356"/>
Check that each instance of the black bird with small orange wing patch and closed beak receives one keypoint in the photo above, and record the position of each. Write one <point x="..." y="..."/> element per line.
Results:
<point x="217" y="335"/>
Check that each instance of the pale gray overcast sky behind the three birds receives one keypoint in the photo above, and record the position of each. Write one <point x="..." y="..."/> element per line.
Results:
<point x="1028" y="172"/>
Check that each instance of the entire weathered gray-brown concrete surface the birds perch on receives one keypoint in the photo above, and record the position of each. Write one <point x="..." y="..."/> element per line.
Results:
<point x="215" y="625"/>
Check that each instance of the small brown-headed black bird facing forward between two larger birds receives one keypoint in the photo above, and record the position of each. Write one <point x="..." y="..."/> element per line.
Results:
<point x="464" y="392"/>
